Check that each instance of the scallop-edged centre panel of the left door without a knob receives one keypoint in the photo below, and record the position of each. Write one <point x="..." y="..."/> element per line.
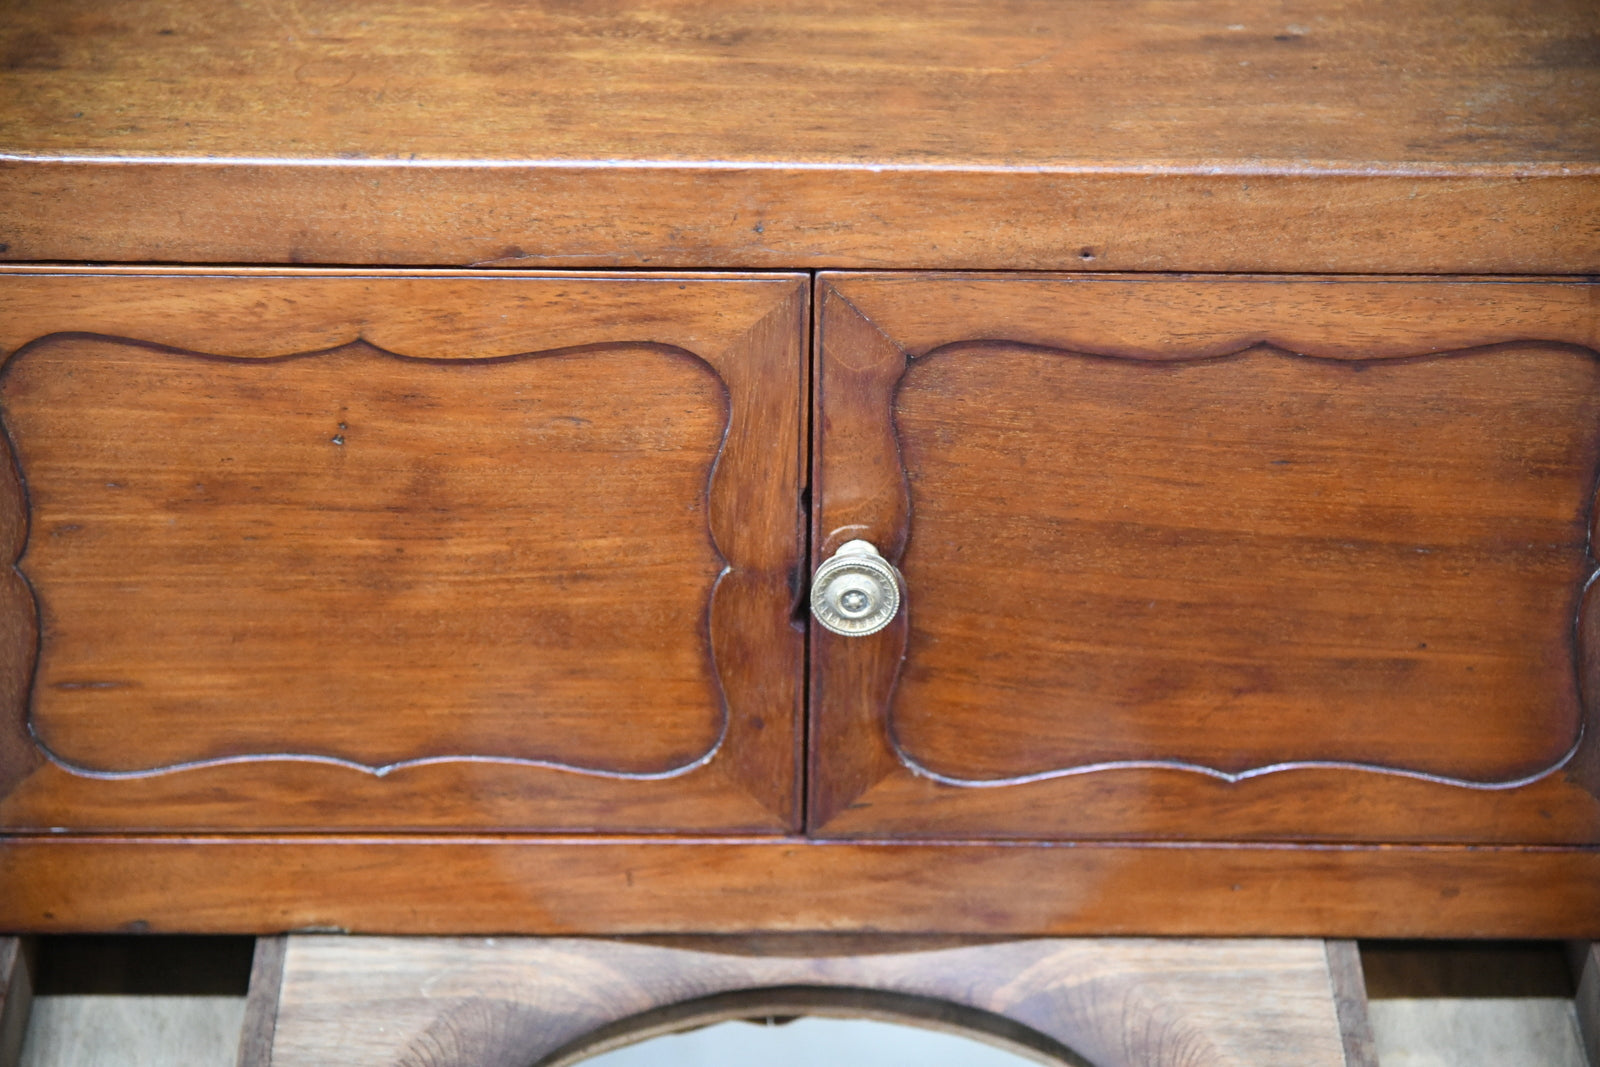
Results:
<point x="367" y="557"/>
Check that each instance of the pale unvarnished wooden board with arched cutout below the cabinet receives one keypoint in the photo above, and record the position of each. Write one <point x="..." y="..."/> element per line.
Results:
<point x="1105" y="1002"/>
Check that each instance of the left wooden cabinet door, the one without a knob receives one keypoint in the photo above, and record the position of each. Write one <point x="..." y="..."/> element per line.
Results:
<point x="350" y="551"/>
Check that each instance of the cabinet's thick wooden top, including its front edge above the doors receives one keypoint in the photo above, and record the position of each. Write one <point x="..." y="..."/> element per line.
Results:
<point x="1228" y="135"/>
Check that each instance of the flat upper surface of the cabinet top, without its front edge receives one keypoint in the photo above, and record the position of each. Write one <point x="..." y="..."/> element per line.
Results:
<point x="951" y="82"/>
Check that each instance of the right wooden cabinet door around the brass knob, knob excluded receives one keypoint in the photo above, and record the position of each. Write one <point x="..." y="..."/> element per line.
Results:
<point x="1215" y="559"/>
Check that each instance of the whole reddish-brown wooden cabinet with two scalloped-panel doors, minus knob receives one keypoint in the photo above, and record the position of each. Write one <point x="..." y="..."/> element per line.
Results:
<point x="417" y="484"/>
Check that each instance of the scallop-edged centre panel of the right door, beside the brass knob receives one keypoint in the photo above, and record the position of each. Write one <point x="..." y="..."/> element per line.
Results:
<point x="1246" y="562"/>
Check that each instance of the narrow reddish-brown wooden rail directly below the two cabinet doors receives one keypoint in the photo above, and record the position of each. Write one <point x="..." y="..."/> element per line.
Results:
<point x="500" y="885"/>
